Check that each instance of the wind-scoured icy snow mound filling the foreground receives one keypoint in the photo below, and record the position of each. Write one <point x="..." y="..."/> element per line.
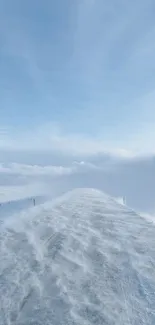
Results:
<point x="82" y="259"/>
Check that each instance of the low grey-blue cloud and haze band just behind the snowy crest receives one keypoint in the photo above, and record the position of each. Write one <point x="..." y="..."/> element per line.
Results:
<point x="132" y="178"/>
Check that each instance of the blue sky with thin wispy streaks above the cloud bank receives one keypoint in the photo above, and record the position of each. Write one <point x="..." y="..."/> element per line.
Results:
<point x="82" y="67"/>
